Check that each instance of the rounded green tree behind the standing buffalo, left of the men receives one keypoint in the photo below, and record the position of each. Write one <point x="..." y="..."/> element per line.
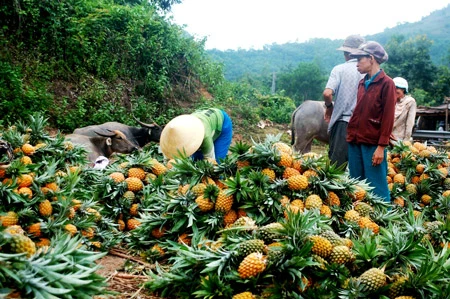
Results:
<point x="305" y="82"/>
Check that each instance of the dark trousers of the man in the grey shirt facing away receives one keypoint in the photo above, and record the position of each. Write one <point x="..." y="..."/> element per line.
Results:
<point x="338" y="151"/>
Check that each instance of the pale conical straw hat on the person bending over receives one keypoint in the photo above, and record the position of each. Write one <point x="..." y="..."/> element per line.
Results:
<point x="183" y="134"/>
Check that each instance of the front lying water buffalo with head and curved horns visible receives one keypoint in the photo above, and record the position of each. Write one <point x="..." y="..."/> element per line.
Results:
<point x="104" y="144"/>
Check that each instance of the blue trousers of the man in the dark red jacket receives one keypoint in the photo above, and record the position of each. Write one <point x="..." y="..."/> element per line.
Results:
<point x="360" y="167"/>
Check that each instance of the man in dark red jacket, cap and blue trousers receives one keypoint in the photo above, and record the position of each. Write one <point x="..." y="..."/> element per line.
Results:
<point x="372" y="120"/>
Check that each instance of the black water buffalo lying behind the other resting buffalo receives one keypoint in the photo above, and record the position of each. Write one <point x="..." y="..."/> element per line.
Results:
<point x="140" y="136"/>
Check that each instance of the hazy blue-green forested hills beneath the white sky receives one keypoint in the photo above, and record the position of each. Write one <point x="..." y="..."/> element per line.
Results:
<point x="276" y="57"/>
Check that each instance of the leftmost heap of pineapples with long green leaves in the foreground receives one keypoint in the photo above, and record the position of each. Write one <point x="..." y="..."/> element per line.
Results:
<point x="51" y="222"/>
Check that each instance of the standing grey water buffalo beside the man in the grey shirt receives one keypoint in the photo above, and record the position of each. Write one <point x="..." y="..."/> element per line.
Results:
<point x="308" y="123"/>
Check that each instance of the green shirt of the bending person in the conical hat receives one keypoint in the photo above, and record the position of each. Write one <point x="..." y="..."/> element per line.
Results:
<point x="212" y="119"/>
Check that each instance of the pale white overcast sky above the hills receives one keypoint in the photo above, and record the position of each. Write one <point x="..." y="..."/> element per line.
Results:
<point x="251" y="24"/>
